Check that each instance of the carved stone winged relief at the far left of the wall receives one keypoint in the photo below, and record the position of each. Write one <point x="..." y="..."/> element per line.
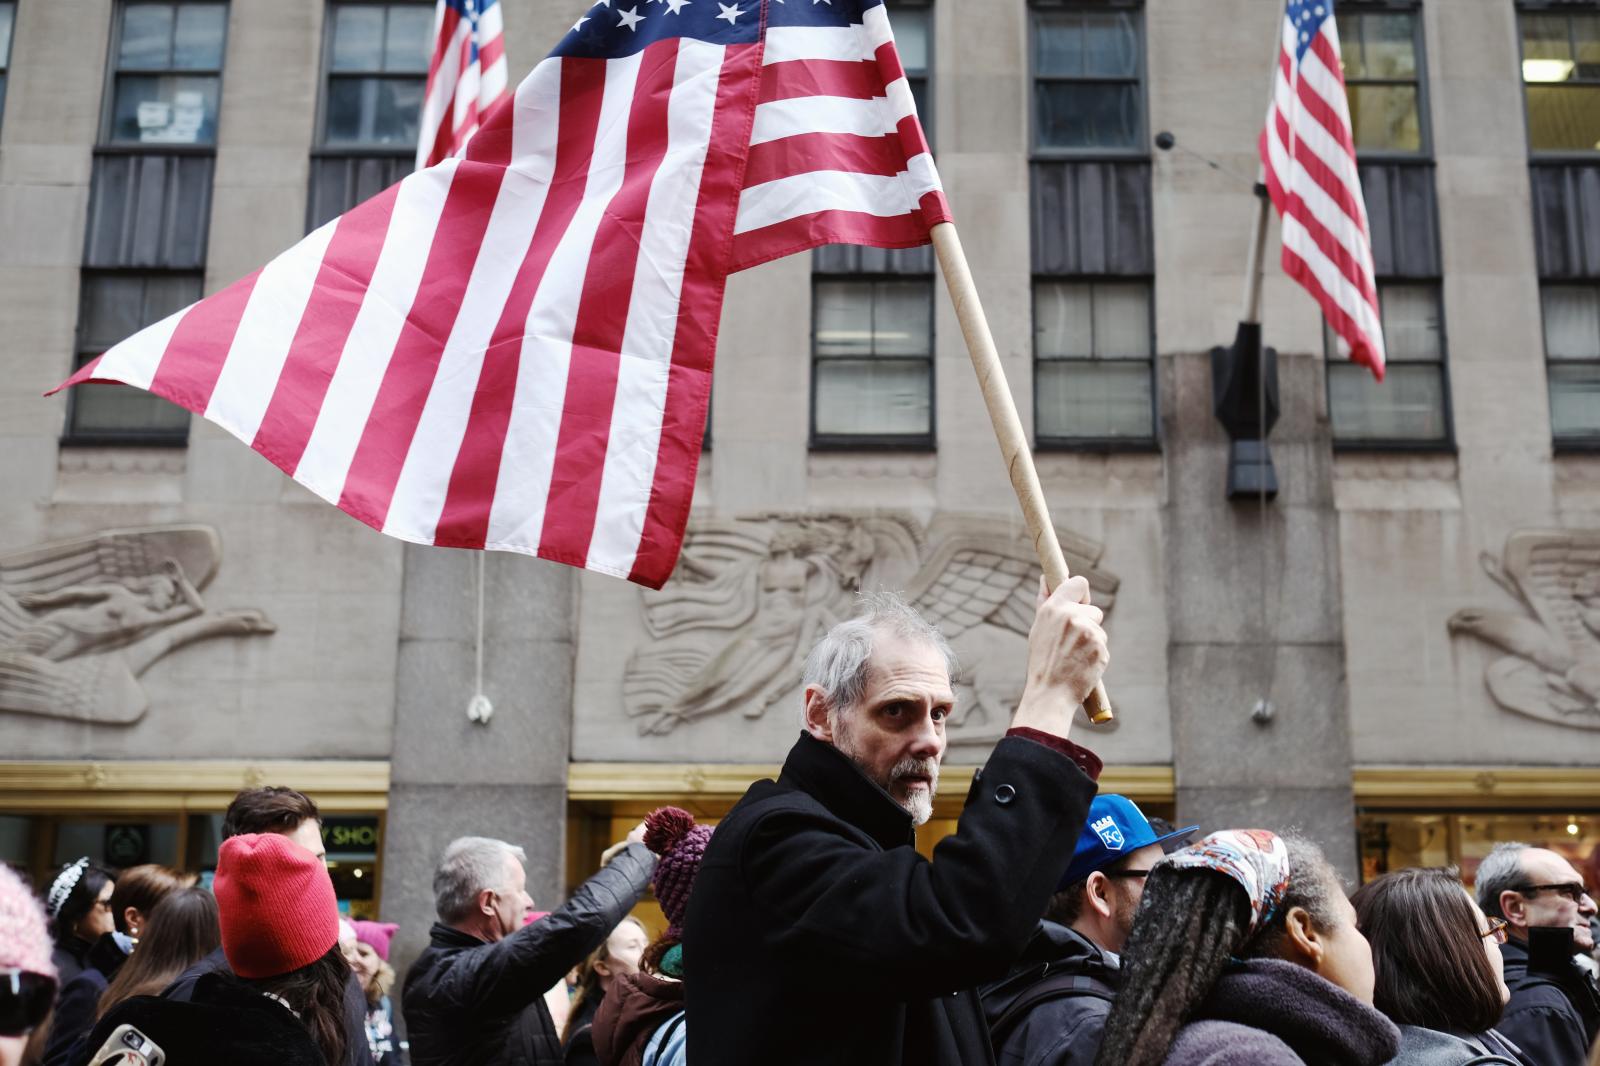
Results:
<point x="82" y="620"/>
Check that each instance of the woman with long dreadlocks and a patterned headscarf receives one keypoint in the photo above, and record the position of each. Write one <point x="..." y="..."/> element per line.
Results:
<point x="1246" y="952"/>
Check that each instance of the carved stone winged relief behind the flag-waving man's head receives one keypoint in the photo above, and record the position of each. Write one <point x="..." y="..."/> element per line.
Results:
<point x="730" y="633"/>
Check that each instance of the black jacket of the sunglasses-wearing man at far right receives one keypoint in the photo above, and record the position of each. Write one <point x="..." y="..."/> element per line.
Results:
<point x="1553" y="1017"/>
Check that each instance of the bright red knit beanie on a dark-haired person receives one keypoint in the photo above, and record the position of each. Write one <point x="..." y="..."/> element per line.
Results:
<point x="276" y="905"/>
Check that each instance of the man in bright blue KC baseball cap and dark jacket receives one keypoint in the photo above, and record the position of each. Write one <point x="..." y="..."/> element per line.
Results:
<point x="1052" y="1008"/>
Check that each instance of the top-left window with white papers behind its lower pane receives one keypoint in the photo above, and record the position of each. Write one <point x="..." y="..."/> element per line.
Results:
<point x="167" y="73"/>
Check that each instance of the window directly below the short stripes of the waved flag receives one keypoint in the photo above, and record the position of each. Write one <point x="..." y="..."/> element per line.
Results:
<point x="873" y="363"/>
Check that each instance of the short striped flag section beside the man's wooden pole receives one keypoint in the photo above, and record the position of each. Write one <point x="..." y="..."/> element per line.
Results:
<point x="838" y="153"/>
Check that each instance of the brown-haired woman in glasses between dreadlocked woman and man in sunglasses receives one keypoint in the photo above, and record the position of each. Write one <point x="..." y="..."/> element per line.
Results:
<point x="1438" y="968"/>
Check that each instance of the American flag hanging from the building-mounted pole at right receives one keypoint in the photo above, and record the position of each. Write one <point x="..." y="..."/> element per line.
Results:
<point x="1311" y="174"/>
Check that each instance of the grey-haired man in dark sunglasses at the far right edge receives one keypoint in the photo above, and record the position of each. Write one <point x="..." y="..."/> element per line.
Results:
<point x="1554" y="1011"/>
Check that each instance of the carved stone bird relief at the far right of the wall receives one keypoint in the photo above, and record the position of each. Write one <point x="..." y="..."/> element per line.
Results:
<point x="1553" y="663"/>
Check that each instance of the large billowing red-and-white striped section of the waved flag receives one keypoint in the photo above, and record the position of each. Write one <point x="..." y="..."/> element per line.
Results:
<point x="510" y="350"/>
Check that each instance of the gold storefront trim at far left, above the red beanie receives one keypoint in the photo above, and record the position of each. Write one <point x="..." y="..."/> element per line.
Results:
<point x="106" y="787"/>
